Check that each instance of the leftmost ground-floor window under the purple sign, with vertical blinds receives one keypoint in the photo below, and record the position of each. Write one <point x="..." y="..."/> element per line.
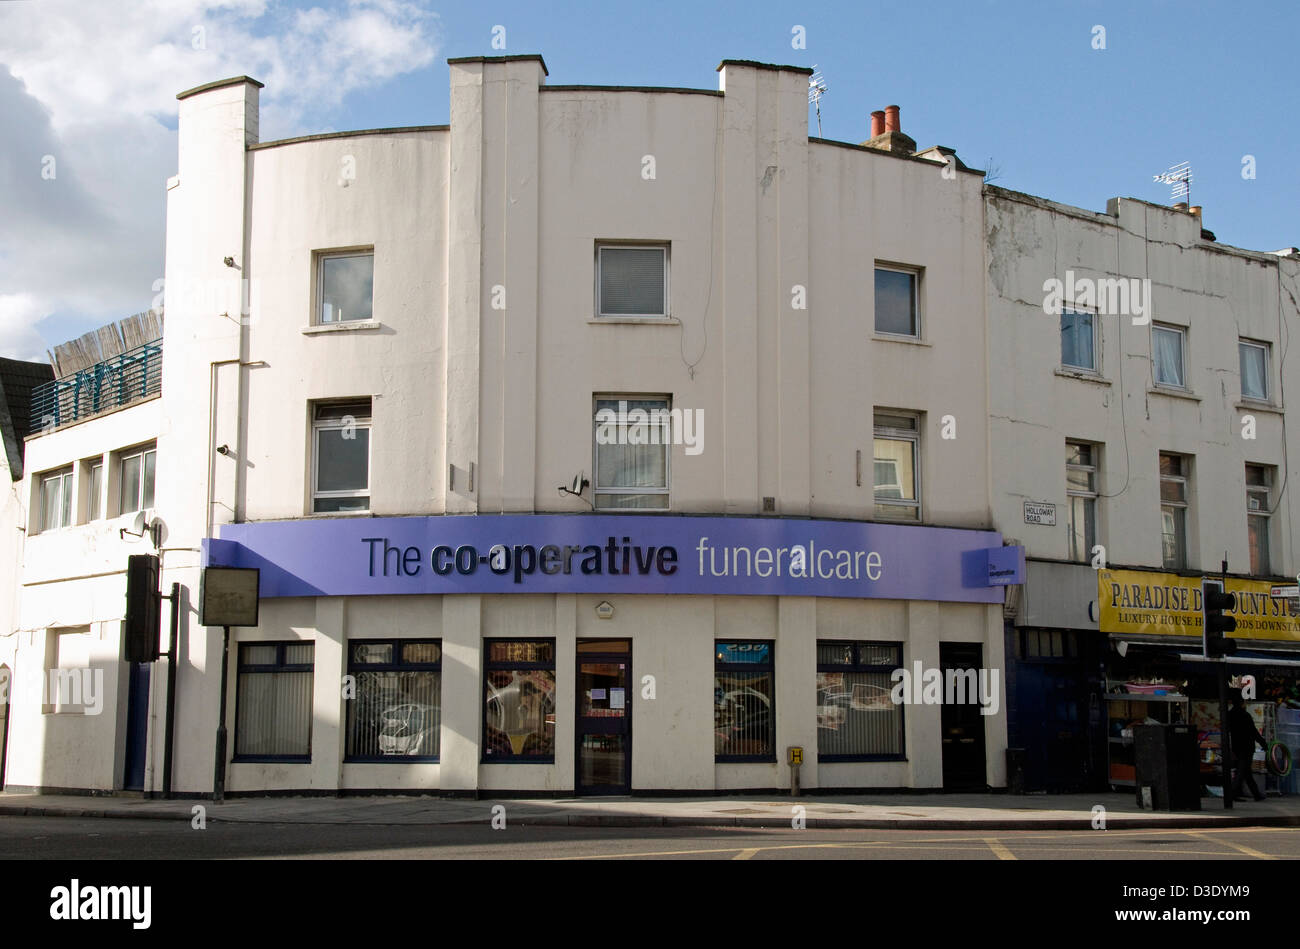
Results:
<point x="274" y="701"/>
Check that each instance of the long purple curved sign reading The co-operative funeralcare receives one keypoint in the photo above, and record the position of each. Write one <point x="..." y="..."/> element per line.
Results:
<point x="656" y="554"/>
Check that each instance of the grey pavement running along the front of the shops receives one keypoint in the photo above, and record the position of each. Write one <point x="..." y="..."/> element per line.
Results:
<point x="915" y="812"/>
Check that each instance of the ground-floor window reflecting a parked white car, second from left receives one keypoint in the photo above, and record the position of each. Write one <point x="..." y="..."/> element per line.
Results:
<point x="396" y="714"/>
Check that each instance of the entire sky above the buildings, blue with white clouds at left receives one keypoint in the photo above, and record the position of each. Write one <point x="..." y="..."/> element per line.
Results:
<point x="1015" y="86"/>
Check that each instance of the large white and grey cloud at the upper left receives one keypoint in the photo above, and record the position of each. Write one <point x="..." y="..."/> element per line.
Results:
<point x="94" y="86"/>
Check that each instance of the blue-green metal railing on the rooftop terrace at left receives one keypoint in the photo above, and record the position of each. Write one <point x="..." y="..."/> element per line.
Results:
<point x="115" y="383"/>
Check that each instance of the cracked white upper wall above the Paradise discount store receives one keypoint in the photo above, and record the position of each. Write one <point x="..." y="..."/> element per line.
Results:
<point x="1217" y="294"/>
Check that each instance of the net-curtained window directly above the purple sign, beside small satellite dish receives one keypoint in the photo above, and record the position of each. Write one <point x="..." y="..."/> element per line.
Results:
<point x="632" y="440"/>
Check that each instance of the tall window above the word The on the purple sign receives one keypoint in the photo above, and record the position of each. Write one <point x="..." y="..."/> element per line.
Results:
<point x="341" y="457"/>
